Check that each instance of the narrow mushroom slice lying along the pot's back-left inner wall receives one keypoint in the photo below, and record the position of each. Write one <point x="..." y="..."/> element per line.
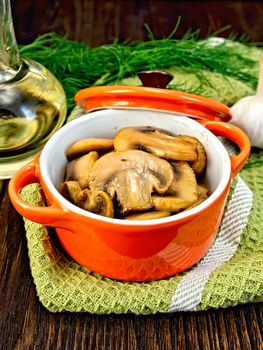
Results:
<point x="84" y="146"/>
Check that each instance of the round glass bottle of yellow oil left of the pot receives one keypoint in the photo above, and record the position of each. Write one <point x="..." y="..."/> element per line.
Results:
<point x="32" y="101"/>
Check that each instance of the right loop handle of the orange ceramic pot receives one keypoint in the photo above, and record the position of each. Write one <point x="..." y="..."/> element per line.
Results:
<point x="234" y="134"/>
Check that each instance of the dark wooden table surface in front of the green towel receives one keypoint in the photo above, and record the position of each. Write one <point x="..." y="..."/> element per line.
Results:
<point x="26" y="324"/>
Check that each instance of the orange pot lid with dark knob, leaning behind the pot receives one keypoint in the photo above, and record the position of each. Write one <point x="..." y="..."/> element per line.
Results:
<point x="152" y="95"/>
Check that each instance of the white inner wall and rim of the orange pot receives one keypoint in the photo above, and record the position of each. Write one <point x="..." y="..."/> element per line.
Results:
<point x="106" y="123"/>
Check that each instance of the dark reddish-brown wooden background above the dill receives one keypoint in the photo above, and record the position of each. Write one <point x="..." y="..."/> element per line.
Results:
<point x="97" y="22"/>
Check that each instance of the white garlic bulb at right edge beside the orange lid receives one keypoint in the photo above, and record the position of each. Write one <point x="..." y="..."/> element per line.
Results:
<point x="248" y="113"/>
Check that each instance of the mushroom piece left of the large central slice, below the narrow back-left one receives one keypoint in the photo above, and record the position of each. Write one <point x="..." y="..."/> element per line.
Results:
<point x="78" y="169"/>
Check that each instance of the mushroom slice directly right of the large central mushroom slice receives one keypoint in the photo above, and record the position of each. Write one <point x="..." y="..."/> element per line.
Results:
<point x="183" y="191"/>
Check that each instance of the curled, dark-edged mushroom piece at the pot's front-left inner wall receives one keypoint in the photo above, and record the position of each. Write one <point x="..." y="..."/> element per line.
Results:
<point x="98" y="202"/>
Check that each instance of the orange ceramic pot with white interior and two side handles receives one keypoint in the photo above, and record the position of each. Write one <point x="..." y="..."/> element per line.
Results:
<point x="125" y="249"/>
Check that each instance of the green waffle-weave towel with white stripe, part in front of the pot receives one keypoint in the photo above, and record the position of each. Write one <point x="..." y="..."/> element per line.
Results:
<point x="231" y="273"/>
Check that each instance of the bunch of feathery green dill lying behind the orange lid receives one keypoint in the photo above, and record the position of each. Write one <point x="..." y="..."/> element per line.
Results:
<point x="77" y="65"/>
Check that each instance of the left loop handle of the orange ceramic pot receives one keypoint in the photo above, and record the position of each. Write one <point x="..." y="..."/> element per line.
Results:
<point x="43" y="215"/>
